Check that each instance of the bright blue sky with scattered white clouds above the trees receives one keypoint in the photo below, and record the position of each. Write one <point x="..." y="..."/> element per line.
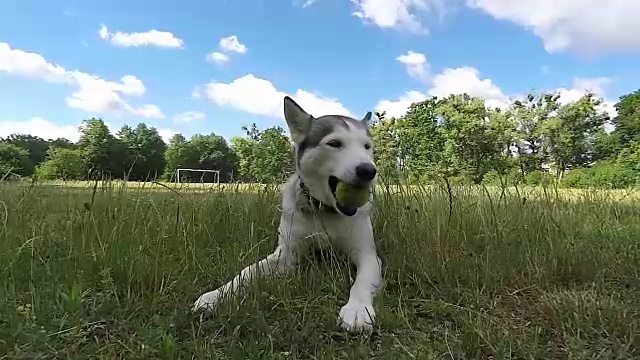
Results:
<point x="130" y="62"/>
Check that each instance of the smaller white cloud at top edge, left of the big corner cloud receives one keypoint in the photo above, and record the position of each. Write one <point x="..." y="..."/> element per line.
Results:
<point x="399" y="14"/>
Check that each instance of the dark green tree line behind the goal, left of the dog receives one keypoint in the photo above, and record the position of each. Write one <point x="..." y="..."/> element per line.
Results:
<point x="140" y="154"/>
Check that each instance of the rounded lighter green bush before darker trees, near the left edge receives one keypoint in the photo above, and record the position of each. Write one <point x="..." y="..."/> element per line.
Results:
<point x="62" y="163"/>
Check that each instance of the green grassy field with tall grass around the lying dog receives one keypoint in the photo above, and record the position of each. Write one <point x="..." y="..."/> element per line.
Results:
<point x="108" y="272"/>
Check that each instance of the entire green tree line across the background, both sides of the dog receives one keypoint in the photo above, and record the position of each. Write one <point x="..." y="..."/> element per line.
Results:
<point x="536" y="139"/>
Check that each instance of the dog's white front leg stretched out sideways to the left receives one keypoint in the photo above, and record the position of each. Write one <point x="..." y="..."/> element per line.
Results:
<point x="279" y="262"/>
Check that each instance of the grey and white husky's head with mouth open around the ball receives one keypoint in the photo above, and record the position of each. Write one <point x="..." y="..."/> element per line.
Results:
<point x="329" y="149"/>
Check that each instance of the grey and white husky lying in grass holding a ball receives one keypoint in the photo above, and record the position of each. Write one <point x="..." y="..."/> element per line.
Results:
<point x="328" y="149"/>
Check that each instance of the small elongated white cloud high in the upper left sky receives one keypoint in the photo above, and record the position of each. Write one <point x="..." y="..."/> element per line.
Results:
<point x="163" y="39"/>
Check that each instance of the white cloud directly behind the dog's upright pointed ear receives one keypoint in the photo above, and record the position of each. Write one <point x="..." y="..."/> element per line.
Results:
<point x="260" y="97"/>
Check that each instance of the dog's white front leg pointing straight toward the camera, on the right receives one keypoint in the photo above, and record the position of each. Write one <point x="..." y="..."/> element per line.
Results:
<point x="358" y="314"/>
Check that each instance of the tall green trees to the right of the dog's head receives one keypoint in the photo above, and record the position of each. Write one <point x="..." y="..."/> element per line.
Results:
<point x="535" y="139"/>
